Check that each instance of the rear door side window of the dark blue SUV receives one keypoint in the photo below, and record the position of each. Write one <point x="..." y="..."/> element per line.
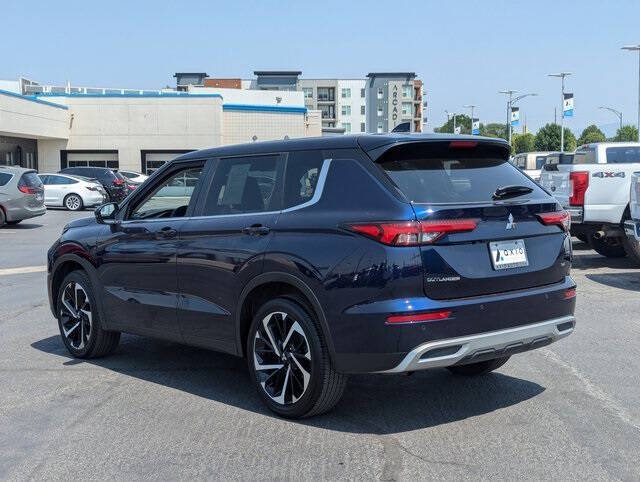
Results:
<point x="244" y="185"/>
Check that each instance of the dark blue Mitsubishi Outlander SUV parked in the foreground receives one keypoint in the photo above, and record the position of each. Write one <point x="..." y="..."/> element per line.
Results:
<point x="445" y="255"/>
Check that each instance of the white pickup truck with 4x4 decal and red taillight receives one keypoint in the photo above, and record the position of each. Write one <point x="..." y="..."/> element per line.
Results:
<point x="595" y="188"/>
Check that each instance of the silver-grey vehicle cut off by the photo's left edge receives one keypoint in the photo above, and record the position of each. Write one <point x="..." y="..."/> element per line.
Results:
<point x="21" y="195"/>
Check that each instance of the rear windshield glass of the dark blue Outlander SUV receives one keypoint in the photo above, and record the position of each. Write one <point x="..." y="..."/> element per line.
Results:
<point x="452" y="177"/>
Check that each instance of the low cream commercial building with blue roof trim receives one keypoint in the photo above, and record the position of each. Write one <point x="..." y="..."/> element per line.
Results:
<point x="52" y="127"/>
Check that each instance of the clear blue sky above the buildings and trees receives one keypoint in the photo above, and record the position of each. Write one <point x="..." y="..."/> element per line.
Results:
<point x="464" y="51"/>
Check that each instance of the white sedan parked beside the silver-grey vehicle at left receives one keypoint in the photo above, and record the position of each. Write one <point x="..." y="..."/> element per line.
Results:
<point x="72" y="192"/>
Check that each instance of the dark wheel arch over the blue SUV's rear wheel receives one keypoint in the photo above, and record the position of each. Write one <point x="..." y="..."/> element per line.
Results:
<point x="281" y="285"/>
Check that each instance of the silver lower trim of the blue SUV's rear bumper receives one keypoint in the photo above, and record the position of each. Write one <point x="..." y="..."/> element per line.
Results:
<point x="484" y="346"/>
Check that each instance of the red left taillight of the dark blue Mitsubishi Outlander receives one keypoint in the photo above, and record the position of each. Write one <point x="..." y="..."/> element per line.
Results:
<point x="413" y="233"/>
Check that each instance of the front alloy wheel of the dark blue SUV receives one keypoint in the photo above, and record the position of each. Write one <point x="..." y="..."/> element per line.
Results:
<point x="76" y="319"/>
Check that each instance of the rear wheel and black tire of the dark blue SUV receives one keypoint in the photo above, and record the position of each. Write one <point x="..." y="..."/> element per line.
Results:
<point x="306" y="352"/>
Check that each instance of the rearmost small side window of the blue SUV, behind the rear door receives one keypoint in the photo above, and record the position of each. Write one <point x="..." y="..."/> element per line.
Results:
<point x="301" y="177"/>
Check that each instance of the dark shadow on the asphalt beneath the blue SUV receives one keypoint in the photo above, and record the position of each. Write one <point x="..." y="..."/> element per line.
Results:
<point x="374" y="404"/>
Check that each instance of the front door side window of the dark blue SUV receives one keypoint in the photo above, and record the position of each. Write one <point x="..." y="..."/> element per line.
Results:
<point x="171" y="198"/>
